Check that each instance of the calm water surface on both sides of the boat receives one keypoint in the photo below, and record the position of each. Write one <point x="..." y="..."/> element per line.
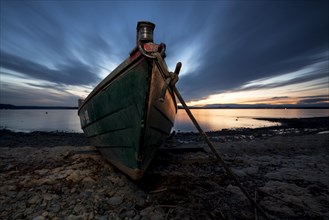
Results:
<point x="209" y="119"/>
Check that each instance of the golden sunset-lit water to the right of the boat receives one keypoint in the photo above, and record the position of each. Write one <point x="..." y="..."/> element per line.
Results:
<point x="218" y="119"/>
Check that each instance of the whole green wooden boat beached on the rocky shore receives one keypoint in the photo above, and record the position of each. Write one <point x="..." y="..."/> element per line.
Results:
<point x="131" y="112"/>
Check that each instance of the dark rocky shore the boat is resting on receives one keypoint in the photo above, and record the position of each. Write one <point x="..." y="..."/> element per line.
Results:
<point x="60" y="176"/>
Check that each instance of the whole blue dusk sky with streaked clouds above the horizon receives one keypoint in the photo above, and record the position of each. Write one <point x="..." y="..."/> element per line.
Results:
<point x="233" y="52"/>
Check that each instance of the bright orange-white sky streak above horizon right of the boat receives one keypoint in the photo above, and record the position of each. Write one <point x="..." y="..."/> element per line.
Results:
<point x="312" y="79"/>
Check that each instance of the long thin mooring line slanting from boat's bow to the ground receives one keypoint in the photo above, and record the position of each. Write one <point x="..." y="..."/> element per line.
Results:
<point x="212" y="148"/>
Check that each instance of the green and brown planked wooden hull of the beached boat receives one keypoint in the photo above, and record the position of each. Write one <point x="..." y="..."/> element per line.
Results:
<point x="125" y="120"/>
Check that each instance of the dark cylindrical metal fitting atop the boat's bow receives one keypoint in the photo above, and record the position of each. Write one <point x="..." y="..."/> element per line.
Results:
<point x="144" y="32"/>
